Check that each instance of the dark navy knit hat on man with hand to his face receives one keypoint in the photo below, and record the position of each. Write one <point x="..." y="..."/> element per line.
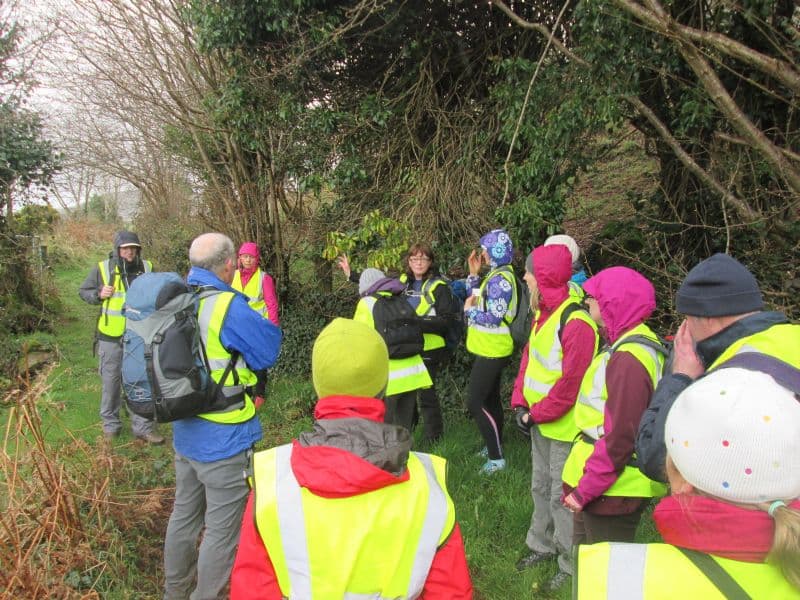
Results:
<point x="717" y="287"/>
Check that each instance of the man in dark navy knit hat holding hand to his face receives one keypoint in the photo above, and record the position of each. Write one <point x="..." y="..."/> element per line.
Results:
<point x="725" y="316"/>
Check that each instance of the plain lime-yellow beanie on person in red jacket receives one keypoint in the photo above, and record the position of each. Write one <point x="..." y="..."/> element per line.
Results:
<point x="349" y="359"/>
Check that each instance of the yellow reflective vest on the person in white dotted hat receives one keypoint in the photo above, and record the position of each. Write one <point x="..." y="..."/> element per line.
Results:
<point x="662" y="572"/>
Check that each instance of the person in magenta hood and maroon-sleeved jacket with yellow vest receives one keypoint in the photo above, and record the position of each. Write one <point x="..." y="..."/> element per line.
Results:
<point x="603" y="488"/>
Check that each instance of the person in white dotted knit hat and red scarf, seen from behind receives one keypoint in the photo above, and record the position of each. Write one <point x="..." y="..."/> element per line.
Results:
<point x="731" y="527"/>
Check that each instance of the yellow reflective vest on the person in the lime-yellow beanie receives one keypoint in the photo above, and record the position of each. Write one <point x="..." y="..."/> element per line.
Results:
<point x="378" y="545"/>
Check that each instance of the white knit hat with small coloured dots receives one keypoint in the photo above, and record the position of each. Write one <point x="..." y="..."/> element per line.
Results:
<point x="735" y="434"/>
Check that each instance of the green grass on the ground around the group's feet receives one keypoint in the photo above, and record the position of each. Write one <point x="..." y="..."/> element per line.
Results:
<point x="493" y="511"/>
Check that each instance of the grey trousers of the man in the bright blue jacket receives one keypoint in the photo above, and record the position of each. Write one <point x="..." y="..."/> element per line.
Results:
<point x="211" y="495"/>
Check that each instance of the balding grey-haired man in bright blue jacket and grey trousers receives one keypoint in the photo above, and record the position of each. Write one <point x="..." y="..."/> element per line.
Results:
<point x="212" y="450"/>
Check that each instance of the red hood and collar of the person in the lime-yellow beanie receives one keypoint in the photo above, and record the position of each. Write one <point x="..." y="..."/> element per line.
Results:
<point x="334" y="472"/>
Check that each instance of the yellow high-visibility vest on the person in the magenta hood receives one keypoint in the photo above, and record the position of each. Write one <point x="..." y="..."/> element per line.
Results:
<point x="590" y="415"/>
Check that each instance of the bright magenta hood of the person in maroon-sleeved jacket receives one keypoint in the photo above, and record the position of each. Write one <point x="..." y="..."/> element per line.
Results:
<point x="625" y="297"/>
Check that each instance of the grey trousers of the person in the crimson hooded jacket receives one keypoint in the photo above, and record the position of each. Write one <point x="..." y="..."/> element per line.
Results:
<point x="551" y="523"/>
